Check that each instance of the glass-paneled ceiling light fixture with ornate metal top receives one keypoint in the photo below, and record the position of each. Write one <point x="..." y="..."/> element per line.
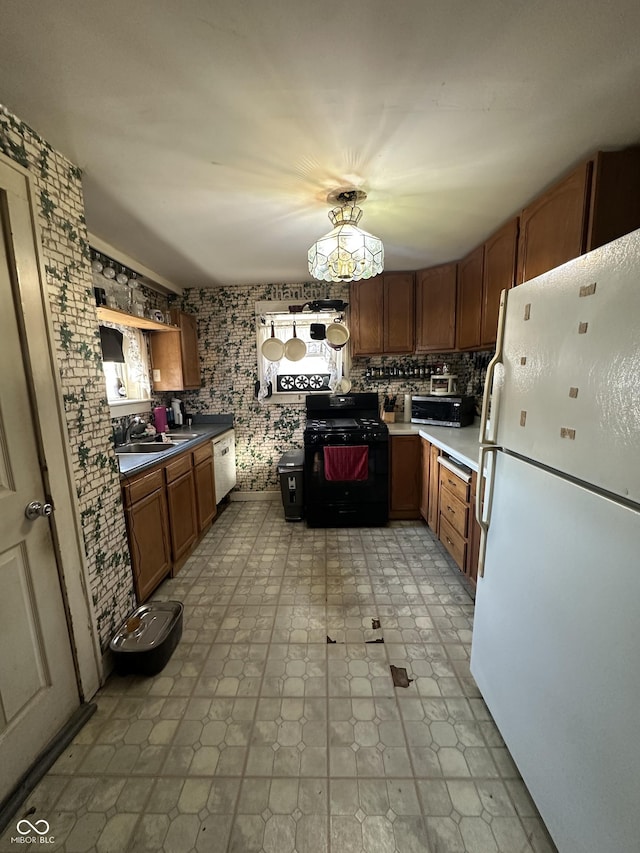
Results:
<point x="346" y="253"/>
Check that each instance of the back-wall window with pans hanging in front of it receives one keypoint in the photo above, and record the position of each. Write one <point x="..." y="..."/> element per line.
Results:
<point x="318" y="371"/>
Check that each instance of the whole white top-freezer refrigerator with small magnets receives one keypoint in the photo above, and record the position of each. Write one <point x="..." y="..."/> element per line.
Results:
<point x="556" y="637"/>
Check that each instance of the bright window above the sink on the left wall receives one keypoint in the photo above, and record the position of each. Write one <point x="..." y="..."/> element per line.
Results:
<point x="128" y="382"/>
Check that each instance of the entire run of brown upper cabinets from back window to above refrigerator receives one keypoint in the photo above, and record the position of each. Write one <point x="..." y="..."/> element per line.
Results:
<point x="457" y="305"/>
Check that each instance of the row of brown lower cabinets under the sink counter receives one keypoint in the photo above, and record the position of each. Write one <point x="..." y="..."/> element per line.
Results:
<point x="167" y="508"/>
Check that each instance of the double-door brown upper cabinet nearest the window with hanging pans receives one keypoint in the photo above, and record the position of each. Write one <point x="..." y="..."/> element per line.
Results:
<point x="382" y="314"/>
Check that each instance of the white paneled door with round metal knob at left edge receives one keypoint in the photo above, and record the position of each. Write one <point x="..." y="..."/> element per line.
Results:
<point x="38" y="687"/>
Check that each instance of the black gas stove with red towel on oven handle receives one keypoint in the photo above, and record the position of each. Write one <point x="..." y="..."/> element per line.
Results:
<point x="346" y="453"/>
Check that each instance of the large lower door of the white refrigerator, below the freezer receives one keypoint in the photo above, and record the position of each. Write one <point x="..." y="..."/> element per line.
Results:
<point x="555" y="651"/>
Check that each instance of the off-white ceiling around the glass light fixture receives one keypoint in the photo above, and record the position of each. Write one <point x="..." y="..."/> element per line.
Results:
<point x="210" y="133"/>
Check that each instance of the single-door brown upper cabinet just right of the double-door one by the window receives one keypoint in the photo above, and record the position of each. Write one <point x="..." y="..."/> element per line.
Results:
<point x="436" y="309"/>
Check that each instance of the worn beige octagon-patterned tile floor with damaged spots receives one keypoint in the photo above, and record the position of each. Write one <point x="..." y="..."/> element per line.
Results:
<point x="260" y="735"/>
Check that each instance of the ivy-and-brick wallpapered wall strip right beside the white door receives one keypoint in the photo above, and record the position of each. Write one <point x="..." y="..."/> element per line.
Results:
<point x="65" y="250"/>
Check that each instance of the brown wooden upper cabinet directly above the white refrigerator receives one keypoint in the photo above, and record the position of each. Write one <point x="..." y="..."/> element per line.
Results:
<point x="596" y="203"/>
